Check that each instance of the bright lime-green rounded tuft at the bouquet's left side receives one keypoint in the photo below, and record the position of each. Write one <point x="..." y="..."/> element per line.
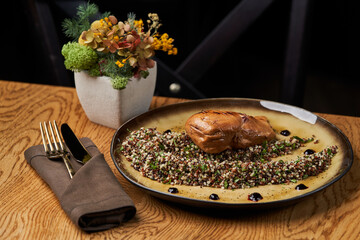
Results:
<point x="78" y="57"/>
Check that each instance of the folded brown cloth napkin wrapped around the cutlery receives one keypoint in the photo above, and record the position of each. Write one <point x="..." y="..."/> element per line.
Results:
<point x="93" y="199"/>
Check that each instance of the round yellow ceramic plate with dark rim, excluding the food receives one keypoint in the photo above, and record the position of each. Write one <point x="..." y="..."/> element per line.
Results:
<point x="298" y="121"/>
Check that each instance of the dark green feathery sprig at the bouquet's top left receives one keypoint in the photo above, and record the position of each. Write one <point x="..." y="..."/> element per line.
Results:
<point x="74" y="27"/>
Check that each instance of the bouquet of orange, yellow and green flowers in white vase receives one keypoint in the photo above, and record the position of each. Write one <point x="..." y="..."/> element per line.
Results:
<point x="108" y="47"/>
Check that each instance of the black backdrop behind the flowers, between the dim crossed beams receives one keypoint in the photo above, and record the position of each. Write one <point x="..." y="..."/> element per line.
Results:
<point x="253" y="67"/>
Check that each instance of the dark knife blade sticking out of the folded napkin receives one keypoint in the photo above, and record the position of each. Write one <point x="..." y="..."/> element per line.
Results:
<point x="74" y="145"/>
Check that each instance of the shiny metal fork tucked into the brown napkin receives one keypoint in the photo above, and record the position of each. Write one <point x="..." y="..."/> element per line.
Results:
<point x="59" y="150"/>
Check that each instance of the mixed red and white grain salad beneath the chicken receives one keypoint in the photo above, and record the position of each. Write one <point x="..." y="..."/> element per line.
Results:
<point x="172" y="158"/>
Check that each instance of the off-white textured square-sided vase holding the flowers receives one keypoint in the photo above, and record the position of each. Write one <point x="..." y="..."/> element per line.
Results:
<point x="110" y="107"/>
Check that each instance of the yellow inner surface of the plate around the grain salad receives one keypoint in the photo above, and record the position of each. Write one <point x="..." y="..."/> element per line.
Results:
<point x="279" y="121"/>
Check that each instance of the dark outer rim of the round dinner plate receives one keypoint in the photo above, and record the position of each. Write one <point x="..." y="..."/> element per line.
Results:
<point x="207" y="203"/>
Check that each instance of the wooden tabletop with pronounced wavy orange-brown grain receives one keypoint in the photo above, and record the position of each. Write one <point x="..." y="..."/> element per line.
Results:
<point x="29" y="210"/>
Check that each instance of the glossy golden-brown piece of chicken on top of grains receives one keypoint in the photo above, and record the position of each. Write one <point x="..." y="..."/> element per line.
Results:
<point x="215" y="131"/>
